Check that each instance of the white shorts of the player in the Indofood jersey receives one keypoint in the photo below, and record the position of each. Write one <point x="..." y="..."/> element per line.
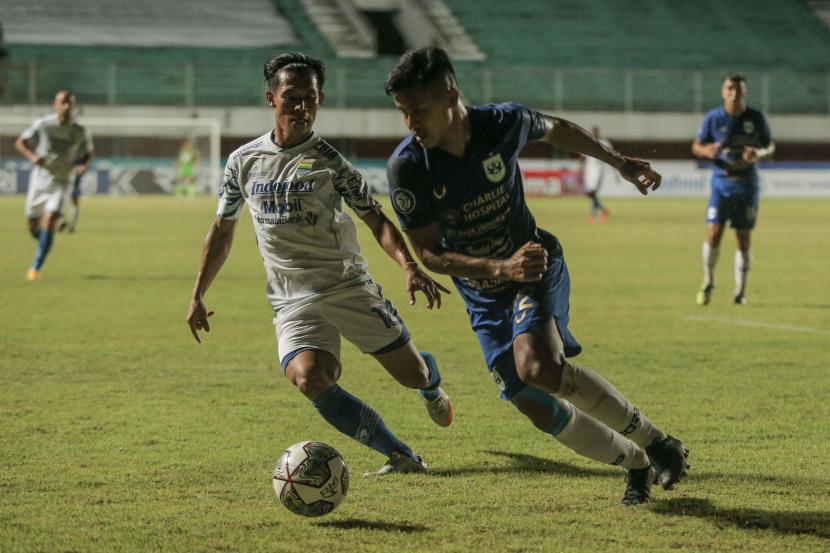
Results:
<point x="360" y="314"/>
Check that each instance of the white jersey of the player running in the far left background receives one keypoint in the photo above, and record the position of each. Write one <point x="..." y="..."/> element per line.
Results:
<point x="60" y="146"/>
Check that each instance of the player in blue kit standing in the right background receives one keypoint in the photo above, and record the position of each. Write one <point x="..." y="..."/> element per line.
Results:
<point x="736" y="137"/>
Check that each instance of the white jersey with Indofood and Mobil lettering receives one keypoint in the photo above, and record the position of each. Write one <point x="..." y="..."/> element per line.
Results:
<point x="295" y="195"/>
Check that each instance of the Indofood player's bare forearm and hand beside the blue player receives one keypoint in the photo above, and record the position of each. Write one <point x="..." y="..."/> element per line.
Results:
<point x="392" y="242"/>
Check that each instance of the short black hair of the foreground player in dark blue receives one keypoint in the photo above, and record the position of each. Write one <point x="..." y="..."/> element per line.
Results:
<point x="422" y="67"/>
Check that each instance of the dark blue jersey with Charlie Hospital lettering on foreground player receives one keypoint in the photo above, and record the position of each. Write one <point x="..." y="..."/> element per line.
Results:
<point x="477" y="199"/>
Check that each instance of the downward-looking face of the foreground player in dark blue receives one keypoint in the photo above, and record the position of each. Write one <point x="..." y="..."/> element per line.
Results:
<point x="427" y="112"/>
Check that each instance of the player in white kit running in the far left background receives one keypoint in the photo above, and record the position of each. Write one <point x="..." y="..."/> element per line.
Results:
<point x="59" y="148"/>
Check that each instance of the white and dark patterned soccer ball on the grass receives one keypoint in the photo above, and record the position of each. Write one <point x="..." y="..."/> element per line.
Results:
<point x="311" y="479"/>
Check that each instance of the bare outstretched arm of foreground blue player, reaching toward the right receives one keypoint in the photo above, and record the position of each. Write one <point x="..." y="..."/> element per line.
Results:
<point x="571" y="137"/>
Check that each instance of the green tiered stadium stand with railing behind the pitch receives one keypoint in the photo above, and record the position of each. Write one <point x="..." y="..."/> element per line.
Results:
<point x="585" y="55"/>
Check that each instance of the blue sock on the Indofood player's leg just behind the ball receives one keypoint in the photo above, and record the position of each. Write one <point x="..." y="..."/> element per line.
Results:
<point x="357" y="420"/>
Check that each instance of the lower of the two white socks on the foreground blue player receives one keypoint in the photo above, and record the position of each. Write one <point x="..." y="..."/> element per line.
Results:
<point x="590" y="438"/>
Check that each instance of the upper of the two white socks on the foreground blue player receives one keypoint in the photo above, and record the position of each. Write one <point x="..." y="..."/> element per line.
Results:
<point x="598" y="397"/>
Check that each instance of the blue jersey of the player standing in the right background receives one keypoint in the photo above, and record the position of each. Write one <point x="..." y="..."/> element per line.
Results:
<point x="733" y="133"/>
